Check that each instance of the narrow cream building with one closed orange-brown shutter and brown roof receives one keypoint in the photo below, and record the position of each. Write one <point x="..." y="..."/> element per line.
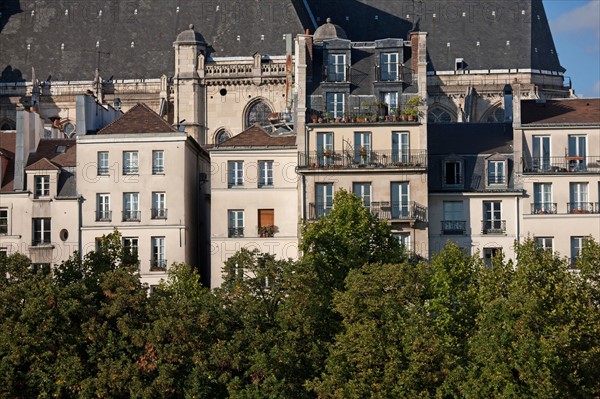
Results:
<point x="254" y="192"/>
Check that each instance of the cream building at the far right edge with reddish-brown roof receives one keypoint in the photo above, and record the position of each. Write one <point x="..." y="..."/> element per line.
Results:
<point x="558" y="144"/>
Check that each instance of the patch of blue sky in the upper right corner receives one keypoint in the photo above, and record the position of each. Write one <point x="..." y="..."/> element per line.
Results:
<point x="575" y="27"/>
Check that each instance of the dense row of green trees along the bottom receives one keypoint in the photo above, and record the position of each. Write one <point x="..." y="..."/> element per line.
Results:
<point x="355" y="318"/>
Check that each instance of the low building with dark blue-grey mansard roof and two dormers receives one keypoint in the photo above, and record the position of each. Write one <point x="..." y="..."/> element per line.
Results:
<point x="474" y="198"/>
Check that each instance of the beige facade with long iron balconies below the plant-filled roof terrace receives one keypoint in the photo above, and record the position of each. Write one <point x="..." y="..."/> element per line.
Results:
<point x="383" y="163"/>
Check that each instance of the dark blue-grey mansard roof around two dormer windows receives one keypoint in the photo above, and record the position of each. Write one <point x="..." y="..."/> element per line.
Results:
<point x="474" y="144"/>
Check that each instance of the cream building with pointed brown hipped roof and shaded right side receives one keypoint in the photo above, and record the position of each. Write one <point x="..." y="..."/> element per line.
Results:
<point x="149" y="181"/>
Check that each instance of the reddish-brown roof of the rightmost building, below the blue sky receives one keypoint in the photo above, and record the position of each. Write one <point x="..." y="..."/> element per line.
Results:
<point x="567" y="111"/>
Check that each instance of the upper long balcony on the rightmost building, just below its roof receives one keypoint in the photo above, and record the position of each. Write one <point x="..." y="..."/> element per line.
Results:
<point x="564" y="164"/>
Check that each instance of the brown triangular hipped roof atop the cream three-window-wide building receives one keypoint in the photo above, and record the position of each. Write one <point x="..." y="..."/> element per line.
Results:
<point x="139" y="119"/>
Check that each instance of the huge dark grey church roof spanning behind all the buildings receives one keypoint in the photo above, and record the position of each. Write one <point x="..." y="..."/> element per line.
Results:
<point x="140" y="44"/>
